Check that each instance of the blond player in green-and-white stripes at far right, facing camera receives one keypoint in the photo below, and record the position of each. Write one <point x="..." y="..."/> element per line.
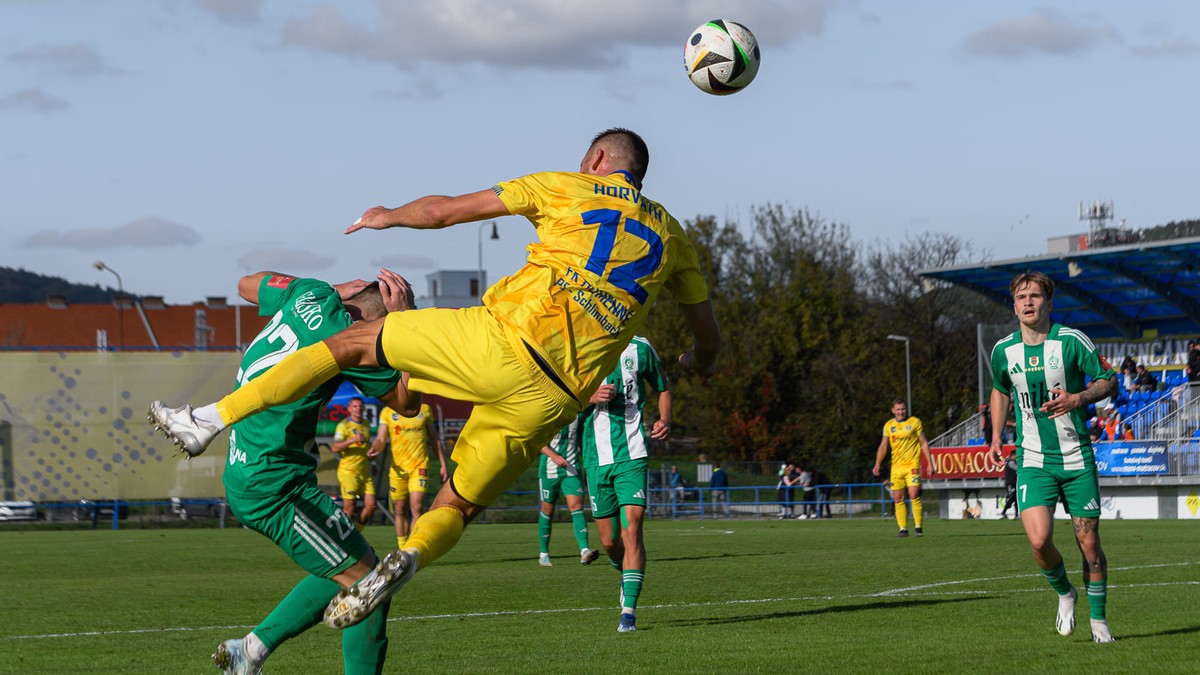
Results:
<point x="1042" y="369"/>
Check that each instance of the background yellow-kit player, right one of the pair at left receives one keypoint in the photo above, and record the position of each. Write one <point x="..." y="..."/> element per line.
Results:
<point x="411" y="438"/>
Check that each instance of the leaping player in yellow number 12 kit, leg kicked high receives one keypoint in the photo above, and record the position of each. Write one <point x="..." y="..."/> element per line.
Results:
<point x="544" y="341"/>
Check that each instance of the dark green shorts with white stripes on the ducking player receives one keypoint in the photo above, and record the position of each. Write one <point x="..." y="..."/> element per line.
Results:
<point x="305" y="523"/>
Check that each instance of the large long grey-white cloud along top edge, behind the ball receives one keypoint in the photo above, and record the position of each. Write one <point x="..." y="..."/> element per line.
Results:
<point x="547" y="34"/>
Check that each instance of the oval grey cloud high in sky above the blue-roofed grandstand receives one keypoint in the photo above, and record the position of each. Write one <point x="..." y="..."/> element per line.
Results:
<point x="1045" y="32"/>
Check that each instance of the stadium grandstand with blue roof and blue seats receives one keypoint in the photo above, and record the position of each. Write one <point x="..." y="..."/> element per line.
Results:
<point x="1138" y="301"/>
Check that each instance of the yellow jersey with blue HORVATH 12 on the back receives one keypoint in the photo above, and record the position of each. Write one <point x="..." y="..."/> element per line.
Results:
<point x="604" y="253"/>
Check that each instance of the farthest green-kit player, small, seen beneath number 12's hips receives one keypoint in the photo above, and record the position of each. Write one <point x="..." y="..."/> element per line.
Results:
<point x="560" y="474"/>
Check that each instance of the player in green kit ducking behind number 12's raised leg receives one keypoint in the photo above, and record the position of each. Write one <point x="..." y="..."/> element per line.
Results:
<point x="271" y="477"/>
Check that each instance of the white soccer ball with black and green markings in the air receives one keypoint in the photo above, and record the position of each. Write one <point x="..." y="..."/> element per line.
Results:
<point x="722" y="57"/>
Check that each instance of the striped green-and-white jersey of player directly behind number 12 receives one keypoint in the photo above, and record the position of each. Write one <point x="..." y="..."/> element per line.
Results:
<point x="613" y="432"/>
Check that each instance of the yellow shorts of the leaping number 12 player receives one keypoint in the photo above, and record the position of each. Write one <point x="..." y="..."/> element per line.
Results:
<point x="467" y="355"/>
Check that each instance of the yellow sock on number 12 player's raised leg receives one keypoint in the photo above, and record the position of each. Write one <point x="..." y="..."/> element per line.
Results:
<point x="284" y="384"/>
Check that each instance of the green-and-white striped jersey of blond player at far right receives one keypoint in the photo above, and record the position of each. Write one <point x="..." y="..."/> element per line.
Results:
<point x="1028" y="374"/>
